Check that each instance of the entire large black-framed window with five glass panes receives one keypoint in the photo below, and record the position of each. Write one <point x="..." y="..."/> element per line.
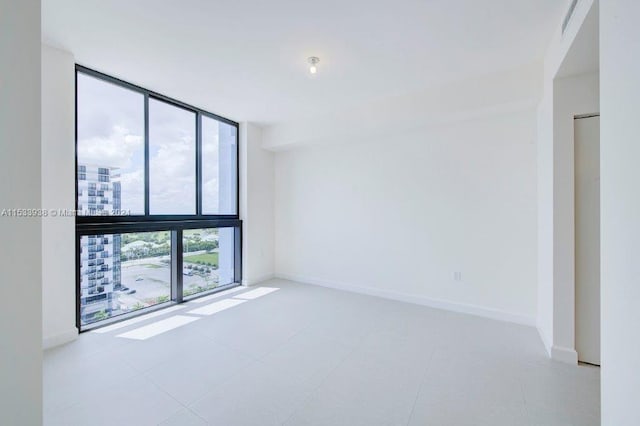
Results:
<point x="157" y="200"/>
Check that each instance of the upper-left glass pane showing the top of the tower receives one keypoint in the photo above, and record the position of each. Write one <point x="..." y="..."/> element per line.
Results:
<point x="110" y="148"/>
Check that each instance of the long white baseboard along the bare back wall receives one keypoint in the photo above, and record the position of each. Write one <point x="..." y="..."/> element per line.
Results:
<point x="418" y="300"/>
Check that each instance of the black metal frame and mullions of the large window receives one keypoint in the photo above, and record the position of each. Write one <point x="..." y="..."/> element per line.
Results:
<point x="114" y="224"/>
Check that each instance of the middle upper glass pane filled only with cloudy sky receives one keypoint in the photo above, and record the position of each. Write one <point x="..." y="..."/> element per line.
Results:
<point x="172" y="164"/>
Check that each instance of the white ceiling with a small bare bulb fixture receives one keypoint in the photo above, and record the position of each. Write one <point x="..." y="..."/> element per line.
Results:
<point x="246" y="59"/>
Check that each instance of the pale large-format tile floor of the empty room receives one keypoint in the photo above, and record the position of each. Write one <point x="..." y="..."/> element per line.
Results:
<point x="306" y="355"/>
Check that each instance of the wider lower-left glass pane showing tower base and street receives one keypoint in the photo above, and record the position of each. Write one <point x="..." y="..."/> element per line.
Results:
<point x="121" y="273"/>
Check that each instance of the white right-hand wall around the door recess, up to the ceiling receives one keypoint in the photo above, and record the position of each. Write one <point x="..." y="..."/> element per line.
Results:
<point x="562" y="99"/>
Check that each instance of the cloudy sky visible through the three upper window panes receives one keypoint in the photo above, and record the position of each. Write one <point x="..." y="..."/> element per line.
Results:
<point x="111" y="134"/>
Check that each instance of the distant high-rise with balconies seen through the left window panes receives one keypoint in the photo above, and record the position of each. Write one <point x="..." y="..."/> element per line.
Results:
<point x="100" y="272"/>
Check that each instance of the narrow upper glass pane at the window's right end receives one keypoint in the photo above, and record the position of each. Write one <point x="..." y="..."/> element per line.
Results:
<point x="219" y="164"/>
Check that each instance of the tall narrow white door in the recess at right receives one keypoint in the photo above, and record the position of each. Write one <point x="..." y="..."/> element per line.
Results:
<point x="587" y="223"/>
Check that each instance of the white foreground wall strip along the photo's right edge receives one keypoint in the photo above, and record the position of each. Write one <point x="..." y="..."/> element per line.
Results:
<point x="620" y="204"/>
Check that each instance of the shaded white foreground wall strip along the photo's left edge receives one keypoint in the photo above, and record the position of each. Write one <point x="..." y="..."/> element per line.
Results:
<point x="20" y="252"/>
